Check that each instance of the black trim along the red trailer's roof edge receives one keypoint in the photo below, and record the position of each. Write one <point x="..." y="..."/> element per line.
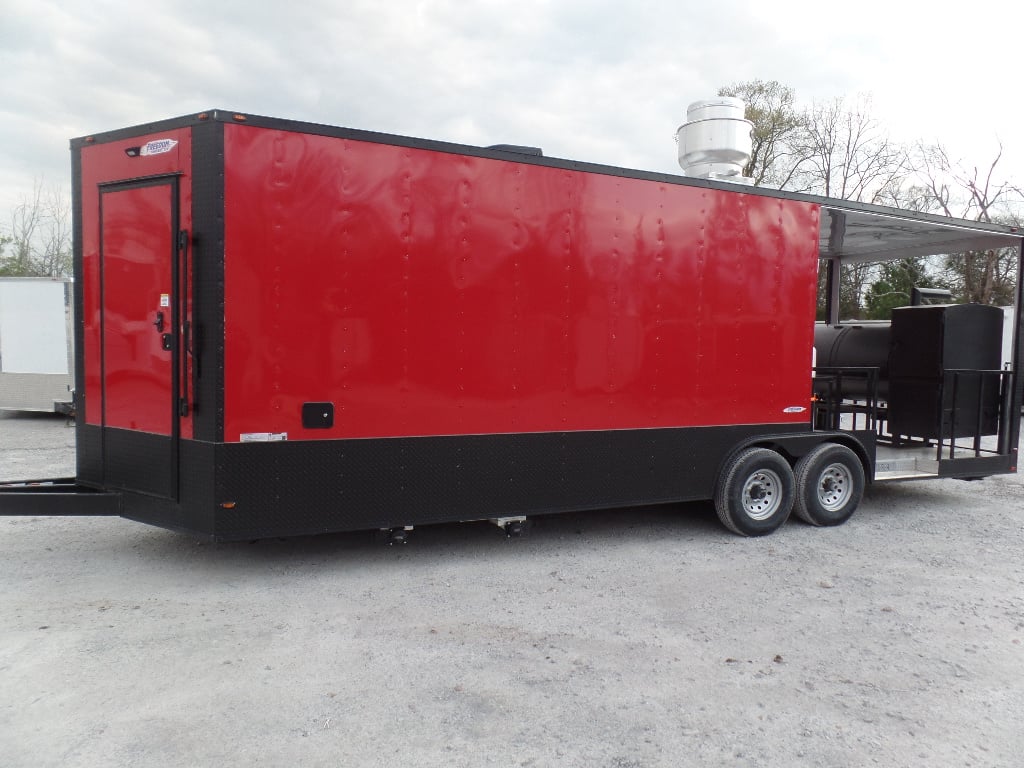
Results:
<point x="358" y="135"/>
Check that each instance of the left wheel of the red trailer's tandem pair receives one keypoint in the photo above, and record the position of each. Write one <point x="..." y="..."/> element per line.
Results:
<point x="755" y="493"/>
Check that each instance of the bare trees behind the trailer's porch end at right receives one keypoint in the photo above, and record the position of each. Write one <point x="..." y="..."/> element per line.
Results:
<point x="838" y="149"/>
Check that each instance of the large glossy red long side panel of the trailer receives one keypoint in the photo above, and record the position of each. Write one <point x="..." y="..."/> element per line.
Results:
<point x="426" y="293"/>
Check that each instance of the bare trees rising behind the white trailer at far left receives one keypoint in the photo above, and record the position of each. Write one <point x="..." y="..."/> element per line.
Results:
<point x="38" y="241"/>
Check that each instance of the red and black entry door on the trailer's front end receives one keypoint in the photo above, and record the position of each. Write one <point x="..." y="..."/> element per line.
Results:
<point x="140" y="340"/>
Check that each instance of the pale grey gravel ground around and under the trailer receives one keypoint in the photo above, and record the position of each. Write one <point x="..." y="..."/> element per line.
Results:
<point x="612" y="639"/>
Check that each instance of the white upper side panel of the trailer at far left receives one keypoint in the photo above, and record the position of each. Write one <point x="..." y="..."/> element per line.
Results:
<point x="33" y="327"/>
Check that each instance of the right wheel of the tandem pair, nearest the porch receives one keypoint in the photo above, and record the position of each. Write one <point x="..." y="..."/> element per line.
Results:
<point x="830" y="485"/>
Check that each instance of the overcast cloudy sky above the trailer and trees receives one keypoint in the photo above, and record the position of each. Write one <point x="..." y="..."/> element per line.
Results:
<point x="593" y="80"/>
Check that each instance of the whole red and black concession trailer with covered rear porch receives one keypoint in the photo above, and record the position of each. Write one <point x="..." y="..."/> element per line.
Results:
<point x="286" y="329"/>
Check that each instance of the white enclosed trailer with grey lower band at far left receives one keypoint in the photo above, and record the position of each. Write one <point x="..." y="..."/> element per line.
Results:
<point x="36" y="345"/>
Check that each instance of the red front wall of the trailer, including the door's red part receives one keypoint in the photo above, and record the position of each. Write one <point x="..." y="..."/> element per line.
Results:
<point x="127" y="201"/>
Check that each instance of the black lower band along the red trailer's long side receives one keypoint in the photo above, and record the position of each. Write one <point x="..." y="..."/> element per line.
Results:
<point x="259" y="490"/>
